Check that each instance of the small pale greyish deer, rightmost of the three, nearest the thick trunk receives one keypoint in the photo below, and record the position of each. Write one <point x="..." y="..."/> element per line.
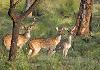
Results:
<point x="65" y="45"/>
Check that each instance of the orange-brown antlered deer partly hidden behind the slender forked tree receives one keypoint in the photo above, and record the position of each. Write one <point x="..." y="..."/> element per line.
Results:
<point x="22" y="38"/>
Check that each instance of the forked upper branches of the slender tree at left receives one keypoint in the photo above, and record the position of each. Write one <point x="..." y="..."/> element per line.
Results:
<point x="16" y="17"/>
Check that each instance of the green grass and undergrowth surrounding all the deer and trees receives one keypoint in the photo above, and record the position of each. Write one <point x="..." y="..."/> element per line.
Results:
<point x="83" y="55"/>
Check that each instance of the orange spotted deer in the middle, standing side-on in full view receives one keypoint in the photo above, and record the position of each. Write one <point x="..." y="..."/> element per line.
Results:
<point x="35" y="45"/>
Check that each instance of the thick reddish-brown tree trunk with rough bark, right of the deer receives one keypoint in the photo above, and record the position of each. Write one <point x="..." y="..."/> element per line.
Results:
<point x="82" y="26"/>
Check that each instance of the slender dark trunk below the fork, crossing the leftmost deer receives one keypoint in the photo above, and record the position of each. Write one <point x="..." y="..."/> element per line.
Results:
<point x="15" y="33"/>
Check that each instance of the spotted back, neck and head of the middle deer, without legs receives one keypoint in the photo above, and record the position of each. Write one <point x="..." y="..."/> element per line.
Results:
<point x="48" y="42"/>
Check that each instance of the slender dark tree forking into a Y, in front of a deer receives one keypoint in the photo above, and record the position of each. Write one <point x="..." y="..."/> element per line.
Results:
<point x="17" y="18"/>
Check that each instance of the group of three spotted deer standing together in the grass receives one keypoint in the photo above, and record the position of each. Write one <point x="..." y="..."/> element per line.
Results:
<point x="36" y="44"/>
